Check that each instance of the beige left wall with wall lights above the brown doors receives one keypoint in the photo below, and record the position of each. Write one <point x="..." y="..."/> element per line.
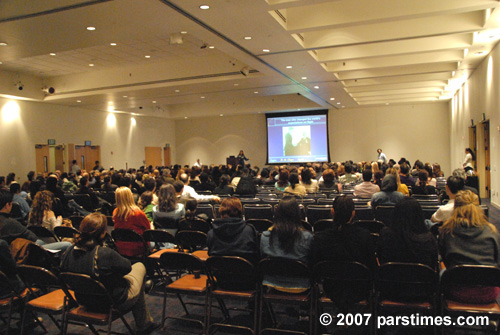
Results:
<point x="37" y="122"/>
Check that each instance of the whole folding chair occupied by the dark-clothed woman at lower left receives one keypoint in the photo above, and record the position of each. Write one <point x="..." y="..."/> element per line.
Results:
<point x="103" y="310"/>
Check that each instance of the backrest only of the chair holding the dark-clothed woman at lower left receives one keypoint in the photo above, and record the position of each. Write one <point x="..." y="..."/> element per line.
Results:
<point x="88" y="292"/>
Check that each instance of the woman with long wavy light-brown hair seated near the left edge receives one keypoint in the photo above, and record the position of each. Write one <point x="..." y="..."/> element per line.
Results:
<point x="41" y="213"/>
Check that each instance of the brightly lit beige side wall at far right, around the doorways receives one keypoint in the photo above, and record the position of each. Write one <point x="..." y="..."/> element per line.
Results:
<point x="479" y="95"/>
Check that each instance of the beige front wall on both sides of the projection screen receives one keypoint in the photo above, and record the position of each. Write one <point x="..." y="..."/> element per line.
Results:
<point x="418" y="131"/>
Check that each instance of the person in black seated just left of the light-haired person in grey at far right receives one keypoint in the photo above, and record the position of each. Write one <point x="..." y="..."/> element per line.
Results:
<point x="408" y="239"/>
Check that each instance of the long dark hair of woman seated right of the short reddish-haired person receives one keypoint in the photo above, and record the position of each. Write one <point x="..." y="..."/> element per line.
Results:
<point x="287" y="226"/>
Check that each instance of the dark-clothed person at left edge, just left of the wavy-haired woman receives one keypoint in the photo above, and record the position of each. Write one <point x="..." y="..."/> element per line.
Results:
<point x="10" y="229"/>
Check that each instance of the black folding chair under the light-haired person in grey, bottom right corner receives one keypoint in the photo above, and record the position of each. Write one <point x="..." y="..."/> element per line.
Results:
<point x="474" y="276"/>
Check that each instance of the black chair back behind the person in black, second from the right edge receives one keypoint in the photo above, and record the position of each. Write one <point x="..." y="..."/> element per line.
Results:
<point x="406" y="282"/>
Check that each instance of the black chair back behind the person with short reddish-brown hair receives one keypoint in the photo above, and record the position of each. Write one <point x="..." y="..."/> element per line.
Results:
<point x="231" y="273"/>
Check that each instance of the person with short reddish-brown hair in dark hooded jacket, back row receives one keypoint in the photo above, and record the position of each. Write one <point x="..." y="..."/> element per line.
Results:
<point x="230" y="235"/>
